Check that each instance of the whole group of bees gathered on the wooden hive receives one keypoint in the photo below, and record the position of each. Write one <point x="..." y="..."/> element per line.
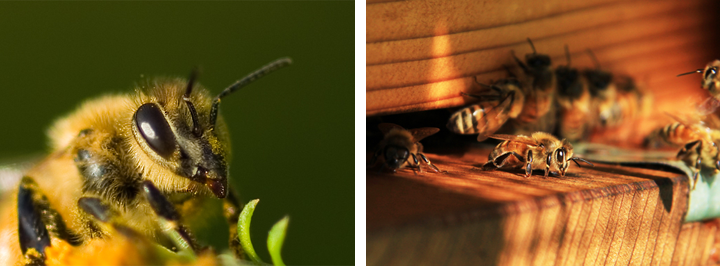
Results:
<point x="537" y="104"/>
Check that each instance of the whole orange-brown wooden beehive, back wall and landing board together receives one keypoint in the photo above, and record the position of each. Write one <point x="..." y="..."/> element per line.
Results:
<point x="422" y="54"/>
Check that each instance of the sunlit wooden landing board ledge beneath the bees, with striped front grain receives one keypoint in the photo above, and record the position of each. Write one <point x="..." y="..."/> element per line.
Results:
<point x="606" y="214"/>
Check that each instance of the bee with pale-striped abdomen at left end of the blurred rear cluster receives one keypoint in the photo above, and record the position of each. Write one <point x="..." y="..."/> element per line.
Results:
<point x="487" y="116"/>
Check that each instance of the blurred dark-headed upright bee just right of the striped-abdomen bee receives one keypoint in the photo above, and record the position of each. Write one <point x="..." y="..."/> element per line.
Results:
<point x="538" y="112"/>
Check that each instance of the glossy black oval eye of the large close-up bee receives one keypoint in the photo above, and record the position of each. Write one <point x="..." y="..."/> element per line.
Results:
<point x="155" y="129"/>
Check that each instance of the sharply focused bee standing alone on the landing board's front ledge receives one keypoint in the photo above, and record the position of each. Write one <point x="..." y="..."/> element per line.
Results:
<point x="540" y="151"/>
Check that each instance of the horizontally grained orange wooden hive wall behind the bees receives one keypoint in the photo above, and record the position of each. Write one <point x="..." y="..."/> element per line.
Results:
<point x="422" y="54"/>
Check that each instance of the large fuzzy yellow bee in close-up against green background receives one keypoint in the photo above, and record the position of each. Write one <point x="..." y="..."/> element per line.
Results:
<point x="145" y="166"/>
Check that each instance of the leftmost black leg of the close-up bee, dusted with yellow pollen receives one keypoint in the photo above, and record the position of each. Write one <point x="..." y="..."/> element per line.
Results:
<point x="37" y="222"/>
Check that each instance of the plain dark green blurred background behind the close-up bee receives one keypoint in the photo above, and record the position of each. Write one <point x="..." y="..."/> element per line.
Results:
<point x="292" y="131"/>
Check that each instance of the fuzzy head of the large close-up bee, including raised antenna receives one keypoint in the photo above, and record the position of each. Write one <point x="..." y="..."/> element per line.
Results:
<point x="179" y="128"/>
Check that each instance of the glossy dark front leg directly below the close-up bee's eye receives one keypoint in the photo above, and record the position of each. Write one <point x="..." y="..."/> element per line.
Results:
<point x="166" y="211"/>
